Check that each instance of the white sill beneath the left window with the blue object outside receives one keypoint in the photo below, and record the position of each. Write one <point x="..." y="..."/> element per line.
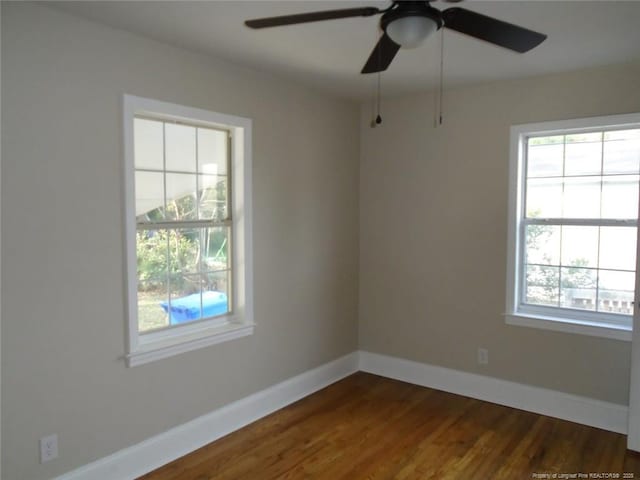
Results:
<point x="167" y="347"/>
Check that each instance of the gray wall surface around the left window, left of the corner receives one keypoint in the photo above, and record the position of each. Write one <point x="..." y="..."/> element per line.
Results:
<point x="62" y="249"/>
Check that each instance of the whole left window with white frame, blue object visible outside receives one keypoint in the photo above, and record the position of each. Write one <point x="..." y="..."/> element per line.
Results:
<point x="188" y="227"/>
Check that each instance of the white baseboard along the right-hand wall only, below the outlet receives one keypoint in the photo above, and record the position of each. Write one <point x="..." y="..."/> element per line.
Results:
<point x="587" y="411"/>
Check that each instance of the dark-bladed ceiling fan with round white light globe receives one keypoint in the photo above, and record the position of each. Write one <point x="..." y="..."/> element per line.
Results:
<point x="405" y="24"/>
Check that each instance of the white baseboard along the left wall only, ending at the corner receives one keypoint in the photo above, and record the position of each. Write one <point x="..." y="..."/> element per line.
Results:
<point x="154" y="452"/>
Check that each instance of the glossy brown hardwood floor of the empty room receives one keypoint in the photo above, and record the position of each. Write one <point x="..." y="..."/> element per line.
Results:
<point x="369" y="427"/>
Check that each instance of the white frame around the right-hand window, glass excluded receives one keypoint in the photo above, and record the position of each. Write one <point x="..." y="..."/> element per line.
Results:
<point x="597" y="324"/>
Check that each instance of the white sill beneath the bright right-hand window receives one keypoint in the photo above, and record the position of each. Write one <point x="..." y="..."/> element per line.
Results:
<point x="579" y="327"/>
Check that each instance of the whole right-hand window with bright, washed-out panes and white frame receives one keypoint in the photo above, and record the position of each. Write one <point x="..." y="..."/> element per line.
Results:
<point x="573" y="225"/>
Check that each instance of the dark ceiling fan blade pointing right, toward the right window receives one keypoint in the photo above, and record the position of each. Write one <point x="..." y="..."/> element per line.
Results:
<point x="491" y="30"/>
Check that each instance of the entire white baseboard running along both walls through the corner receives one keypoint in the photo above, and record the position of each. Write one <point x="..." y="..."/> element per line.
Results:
<point x="154" y="452"/>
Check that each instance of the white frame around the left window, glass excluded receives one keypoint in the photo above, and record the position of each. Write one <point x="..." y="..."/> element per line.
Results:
<point x="149" y="346"/>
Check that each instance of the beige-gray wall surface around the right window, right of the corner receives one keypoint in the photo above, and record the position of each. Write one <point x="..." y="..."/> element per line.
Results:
<point x="433" y="232"/>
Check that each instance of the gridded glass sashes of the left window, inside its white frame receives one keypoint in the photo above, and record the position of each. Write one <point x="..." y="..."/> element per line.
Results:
<point x="183" y="222"/>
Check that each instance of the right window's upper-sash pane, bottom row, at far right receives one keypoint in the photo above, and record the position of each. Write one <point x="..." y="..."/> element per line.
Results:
<point x="620" y="196"/>
